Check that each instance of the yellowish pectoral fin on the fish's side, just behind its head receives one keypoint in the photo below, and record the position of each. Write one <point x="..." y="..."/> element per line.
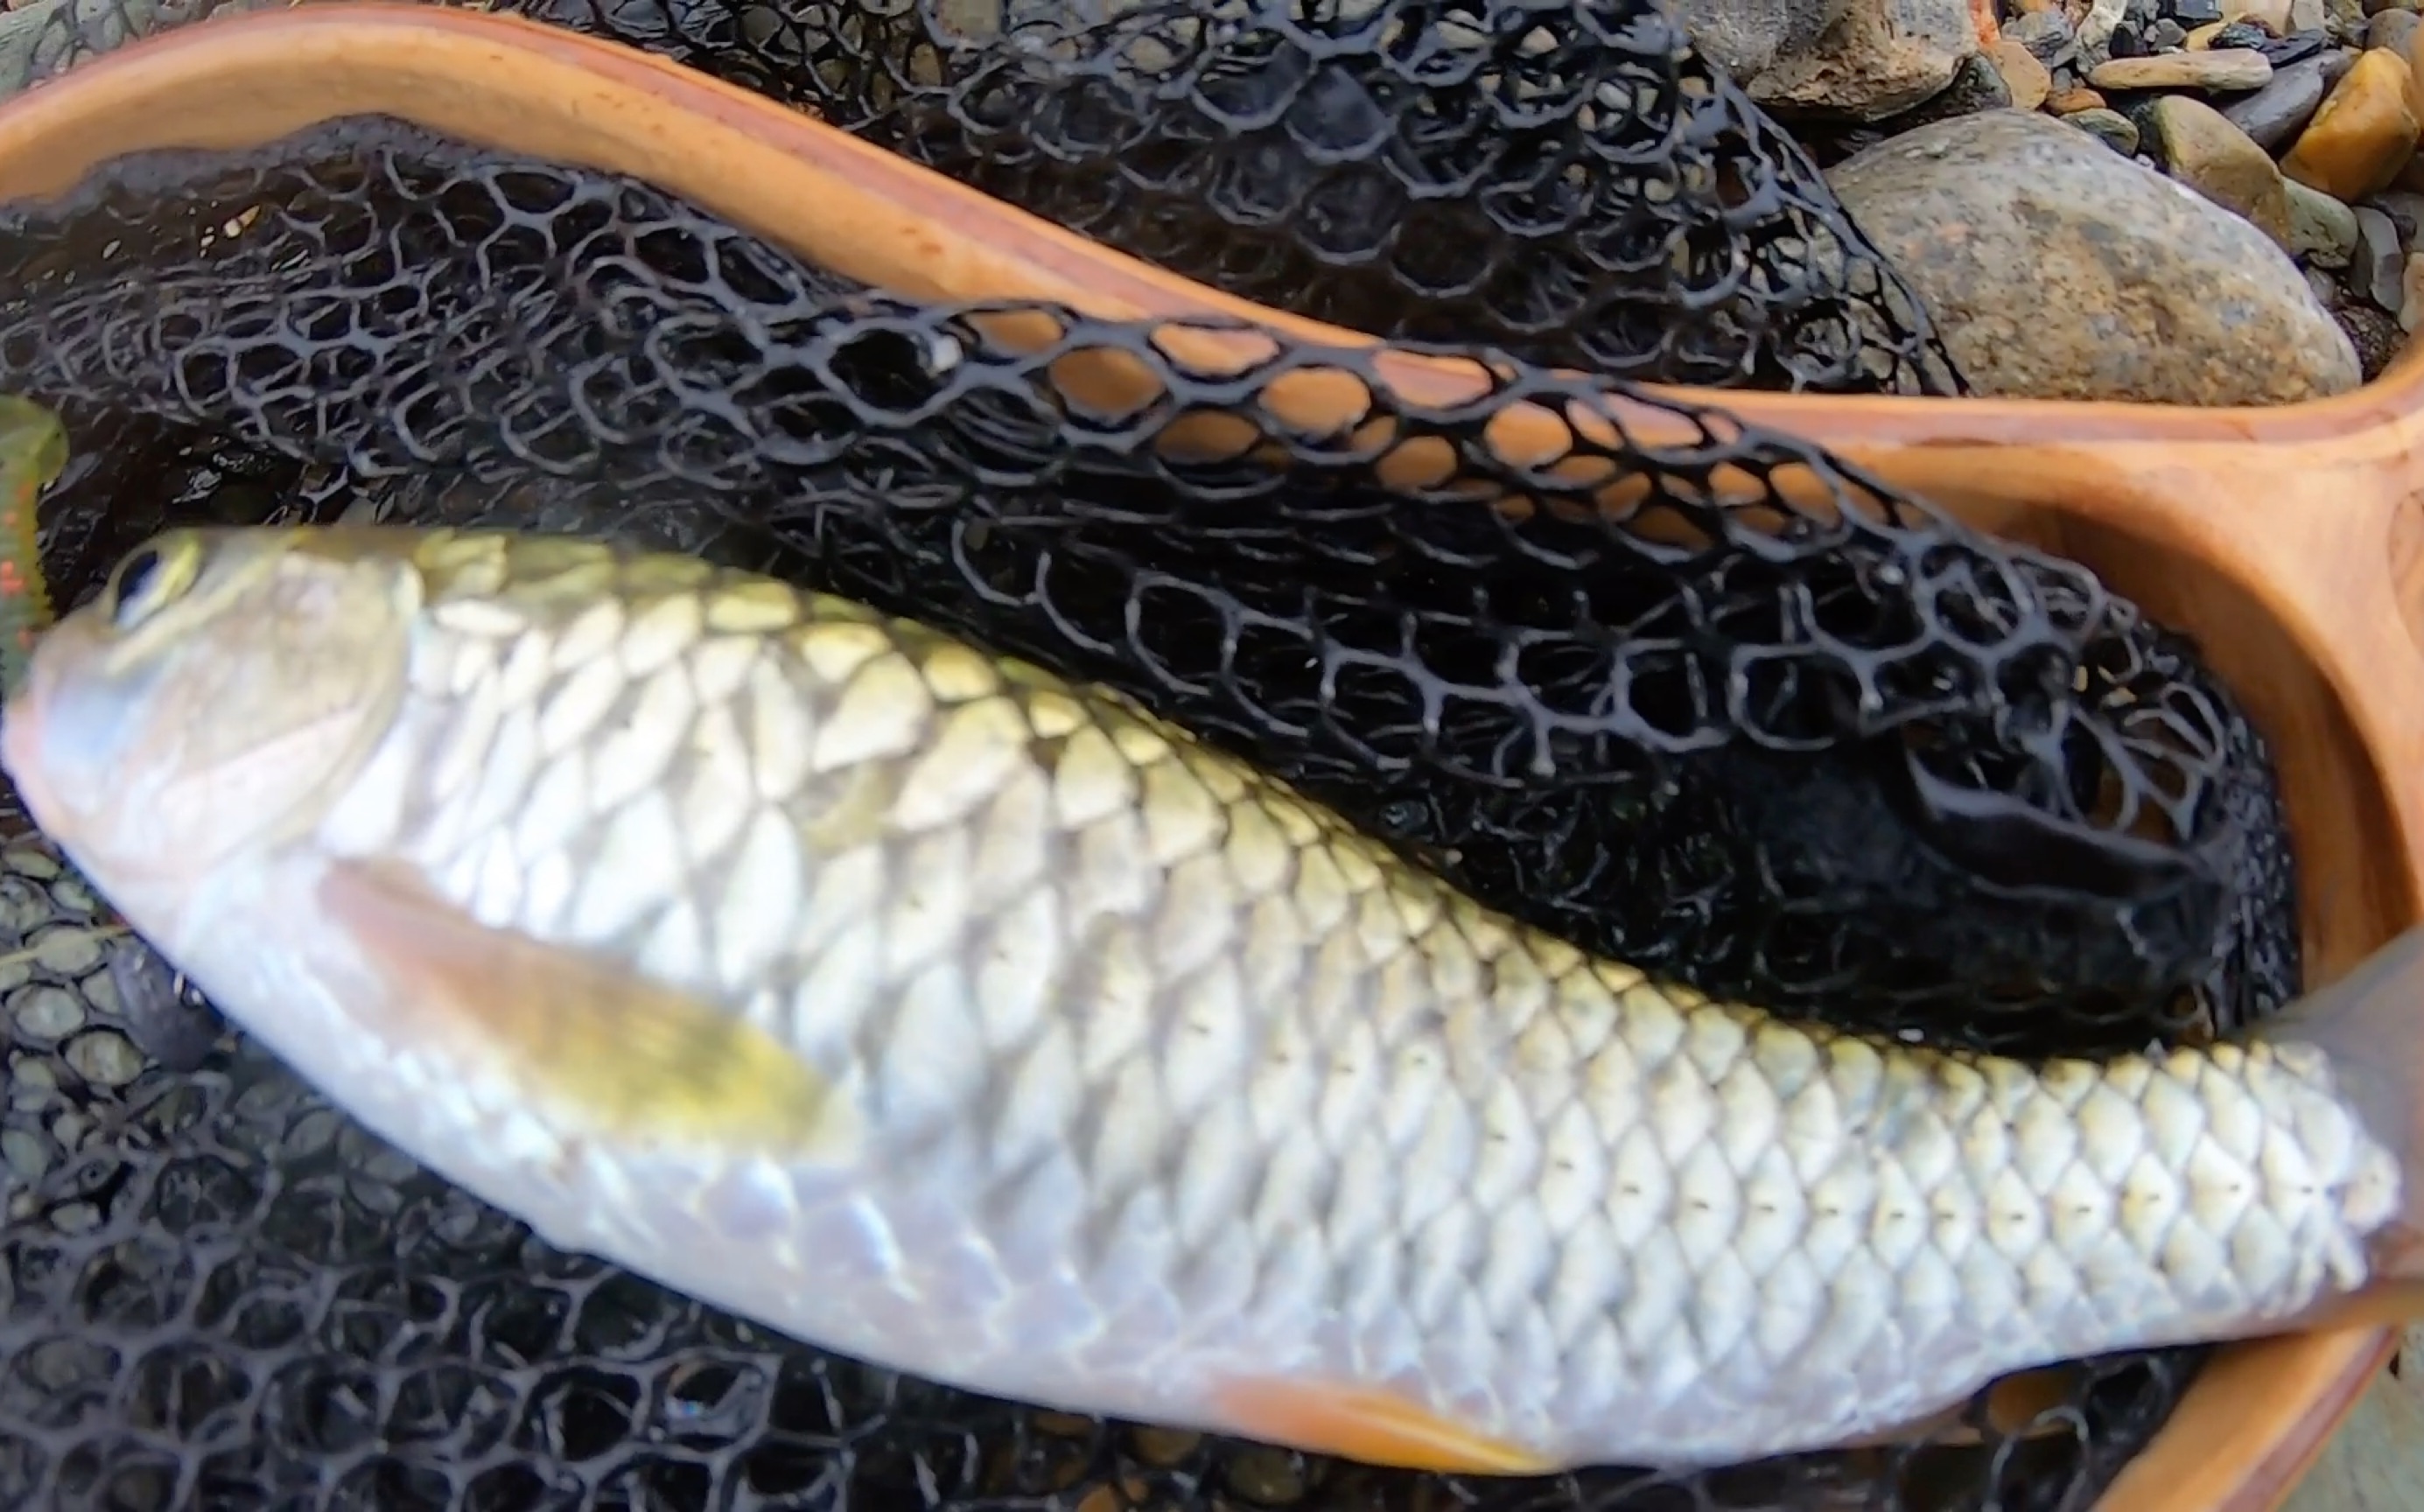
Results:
<point x="622" y="1053"/>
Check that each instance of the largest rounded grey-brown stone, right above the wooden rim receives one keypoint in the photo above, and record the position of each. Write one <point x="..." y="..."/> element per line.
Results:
<point x="2139" y="290"/>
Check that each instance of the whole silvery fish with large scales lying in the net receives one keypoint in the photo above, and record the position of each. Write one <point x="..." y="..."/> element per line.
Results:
<point x="932" y="1009"/>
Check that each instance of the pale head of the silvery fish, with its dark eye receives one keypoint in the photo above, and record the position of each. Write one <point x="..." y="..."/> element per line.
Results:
<point x="210" y="704"/>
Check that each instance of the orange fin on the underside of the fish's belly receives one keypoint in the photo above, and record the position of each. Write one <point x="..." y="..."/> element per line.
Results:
<point x="1368" y="1426"/>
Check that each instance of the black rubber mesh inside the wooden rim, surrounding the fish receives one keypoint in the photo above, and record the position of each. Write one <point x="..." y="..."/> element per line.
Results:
<point x="1843" y="760"/>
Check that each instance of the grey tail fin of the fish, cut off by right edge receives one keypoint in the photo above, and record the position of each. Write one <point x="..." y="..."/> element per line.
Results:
<point x="2372" y="1029"/>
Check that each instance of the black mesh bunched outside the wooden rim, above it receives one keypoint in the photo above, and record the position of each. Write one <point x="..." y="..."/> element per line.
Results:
<point x="1565" y="181"/>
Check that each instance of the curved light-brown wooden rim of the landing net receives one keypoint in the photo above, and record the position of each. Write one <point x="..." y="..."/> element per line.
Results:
<point x="2304" y="517"/>
